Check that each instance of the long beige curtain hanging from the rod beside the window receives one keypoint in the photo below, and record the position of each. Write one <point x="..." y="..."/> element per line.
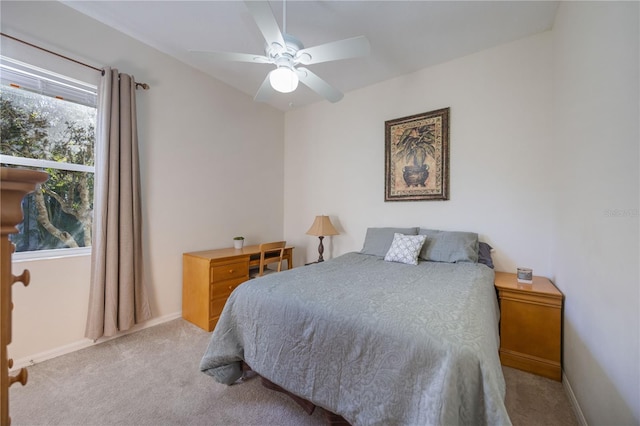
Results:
<point x="117" y="298"/>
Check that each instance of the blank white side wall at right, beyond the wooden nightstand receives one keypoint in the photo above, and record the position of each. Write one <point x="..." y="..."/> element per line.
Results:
<point x="595" y="242"/>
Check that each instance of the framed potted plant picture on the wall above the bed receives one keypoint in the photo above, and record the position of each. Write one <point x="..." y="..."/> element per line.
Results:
<point x="417" y="157"/>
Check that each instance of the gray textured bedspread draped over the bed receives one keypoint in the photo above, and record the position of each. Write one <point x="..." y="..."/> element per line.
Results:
<point x="376" y="342"/>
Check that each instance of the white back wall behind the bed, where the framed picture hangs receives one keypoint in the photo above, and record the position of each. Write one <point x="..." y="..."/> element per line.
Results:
<point x="501" y="115"/>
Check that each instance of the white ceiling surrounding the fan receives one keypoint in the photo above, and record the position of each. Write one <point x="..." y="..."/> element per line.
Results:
<point x="405" y="36"/>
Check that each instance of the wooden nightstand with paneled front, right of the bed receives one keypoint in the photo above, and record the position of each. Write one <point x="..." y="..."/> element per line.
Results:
<point x="530" y="325"/>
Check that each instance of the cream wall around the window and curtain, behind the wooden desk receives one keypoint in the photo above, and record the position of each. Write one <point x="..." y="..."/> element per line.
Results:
<point x="207" y="153"/>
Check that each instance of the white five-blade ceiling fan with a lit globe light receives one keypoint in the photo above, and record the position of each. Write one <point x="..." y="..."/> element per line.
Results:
<point x="287" y="53"/>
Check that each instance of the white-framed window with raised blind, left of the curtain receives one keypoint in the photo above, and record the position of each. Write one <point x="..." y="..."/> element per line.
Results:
<point x="48" y="123"/>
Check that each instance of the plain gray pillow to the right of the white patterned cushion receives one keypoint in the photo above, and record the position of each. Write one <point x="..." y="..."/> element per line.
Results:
<point x="449" y="246"/>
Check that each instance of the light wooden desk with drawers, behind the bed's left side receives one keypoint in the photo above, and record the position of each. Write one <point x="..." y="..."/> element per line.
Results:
<point x="209" y="277"/>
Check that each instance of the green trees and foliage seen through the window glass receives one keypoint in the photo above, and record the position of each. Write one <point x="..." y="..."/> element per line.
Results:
<point x="59" y="213"/>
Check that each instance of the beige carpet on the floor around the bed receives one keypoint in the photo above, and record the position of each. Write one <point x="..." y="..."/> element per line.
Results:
<point x="152" y="378"/>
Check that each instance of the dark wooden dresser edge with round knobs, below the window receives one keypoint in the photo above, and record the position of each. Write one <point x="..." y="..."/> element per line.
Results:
<point x="14" y="185"/>
